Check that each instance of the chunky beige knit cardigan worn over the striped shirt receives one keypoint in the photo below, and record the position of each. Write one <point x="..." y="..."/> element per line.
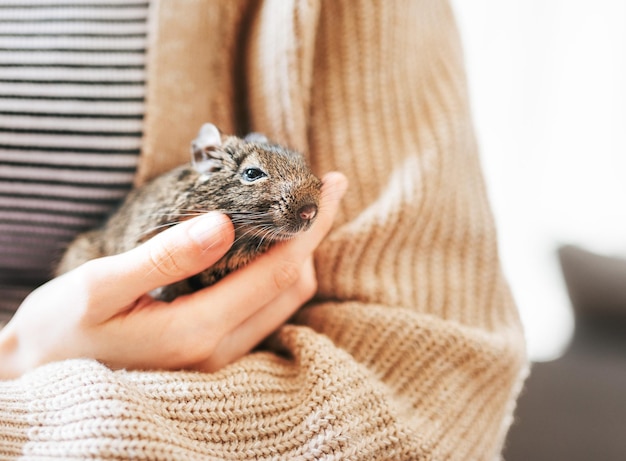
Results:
<point x="413" y="348"/>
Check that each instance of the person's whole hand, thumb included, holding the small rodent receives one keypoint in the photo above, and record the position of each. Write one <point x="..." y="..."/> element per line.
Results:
<point x="100" y="310"/>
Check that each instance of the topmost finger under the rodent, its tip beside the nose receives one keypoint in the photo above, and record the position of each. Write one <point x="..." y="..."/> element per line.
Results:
<point x="250" y="288"/>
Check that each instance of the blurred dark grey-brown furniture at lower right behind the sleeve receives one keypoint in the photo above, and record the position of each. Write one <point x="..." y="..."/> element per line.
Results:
<point x="574" y="408"/>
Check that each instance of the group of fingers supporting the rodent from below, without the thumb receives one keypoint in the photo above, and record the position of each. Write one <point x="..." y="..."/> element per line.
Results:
<point x="216" y="325"/>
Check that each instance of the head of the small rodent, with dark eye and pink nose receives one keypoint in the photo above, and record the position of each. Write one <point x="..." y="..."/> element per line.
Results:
<point x="267" y="190"/>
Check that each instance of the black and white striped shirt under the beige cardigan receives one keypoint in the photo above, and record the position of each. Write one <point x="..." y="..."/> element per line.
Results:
<point x="72" y="89"/>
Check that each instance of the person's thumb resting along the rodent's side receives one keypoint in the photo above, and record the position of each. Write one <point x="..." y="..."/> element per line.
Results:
<point x="173" y="255"/>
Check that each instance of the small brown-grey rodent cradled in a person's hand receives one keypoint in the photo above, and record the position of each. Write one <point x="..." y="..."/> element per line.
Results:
<point x="268" y="192"/>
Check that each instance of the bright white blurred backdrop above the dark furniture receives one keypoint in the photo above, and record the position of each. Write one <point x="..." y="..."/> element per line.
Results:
<point x="548" y="90"/>
